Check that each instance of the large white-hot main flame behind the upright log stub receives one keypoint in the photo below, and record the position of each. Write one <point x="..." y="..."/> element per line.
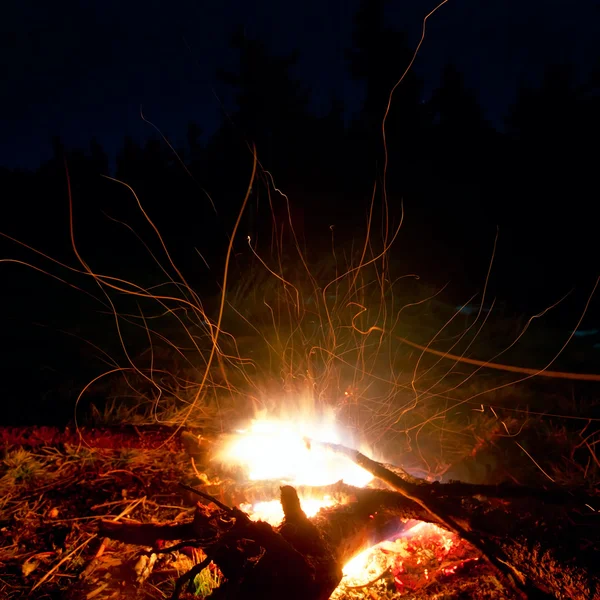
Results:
<point x="271" y="449"/>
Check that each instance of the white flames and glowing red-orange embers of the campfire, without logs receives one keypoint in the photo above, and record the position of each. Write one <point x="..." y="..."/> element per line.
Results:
<point x="301" y="453"/>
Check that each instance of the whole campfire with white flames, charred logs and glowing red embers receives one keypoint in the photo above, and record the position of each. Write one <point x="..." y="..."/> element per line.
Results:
<point x="286" y="507"/>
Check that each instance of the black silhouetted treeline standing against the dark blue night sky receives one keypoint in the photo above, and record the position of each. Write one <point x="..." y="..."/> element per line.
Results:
<point x="458" y="177"/>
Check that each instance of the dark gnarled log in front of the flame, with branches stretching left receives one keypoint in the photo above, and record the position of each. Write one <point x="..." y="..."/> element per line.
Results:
<point x="257" y="560"/>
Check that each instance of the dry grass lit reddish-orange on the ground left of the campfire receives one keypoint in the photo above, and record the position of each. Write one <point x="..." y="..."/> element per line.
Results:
<point x="48" y="541"/>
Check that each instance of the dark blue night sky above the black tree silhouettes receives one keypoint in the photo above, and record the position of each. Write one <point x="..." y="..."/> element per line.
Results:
<point x="83" y="68"/>
